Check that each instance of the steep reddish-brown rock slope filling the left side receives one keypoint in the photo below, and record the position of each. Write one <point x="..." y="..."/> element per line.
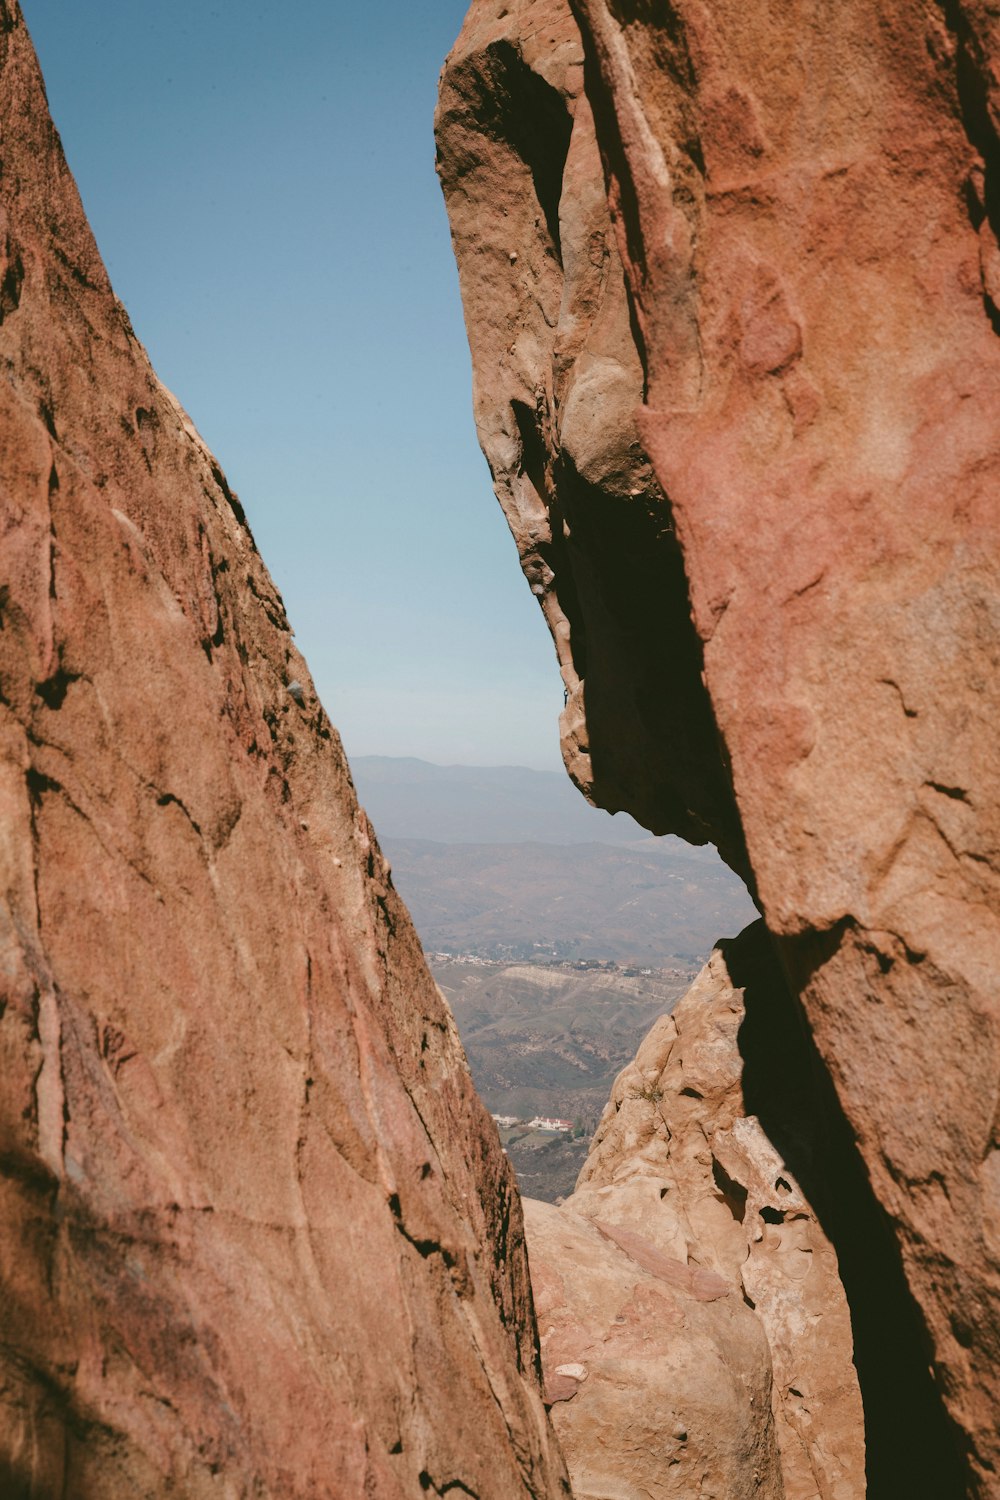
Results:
<point x="257" y="1235"/>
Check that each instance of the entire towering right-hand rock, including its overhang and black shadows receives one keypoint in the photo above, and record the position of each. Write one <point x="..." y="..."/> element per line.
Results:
<point x="806" y="218"/>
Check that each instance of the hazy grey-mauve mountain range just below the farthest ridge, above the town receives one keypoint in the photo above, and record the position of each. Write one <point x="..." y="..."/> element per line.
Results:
<point x="645" y="904"/>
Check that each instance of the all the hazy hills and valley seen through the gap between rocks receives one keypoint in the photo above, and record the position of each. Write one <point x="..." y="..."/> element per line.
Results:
<point x="515" y="883"/>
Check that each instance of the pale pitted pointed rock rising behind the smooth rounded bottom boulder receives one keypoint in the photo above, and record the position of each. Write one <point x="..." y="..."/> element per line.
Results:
<point x="681" y="1160"/>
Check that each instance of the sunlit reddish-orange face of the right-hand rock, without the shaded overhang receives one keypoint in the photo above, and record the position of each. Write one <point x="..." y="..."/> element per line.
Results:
<point x="809" y="212"/>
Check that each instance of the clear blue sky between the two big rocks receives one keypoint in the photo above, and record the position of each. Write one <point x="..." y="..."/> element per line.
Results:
<point x="262" y="185"/>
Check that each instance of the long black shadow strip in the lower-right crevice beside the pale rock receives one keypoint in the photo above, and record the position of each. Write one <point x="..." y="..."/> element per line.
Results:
<point x="912" y="1448"/>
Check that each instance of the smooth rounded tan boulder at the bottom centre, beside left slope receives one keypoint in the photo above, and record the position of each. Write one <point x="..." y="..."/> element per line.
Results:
<point x="659" y="1376"/>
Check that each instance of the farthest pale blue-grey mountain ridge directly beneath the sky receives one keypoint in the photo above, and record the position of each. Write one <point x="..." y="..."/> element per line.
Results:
<point x="409" y="799"/>
